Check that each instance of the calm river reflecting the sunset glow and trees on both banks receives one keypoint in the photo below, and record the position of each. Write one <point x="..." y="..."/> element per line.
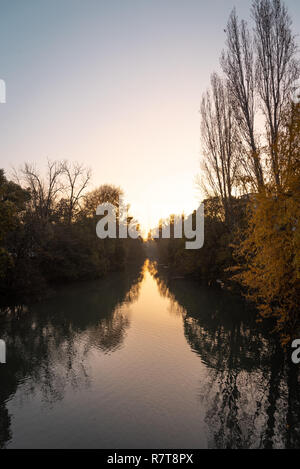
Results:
<point x="139" y="361"/>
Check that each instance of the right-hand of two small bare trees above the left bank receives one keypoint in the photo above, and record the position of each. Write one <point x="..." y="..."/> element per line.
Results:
<point x="77" y="177"/>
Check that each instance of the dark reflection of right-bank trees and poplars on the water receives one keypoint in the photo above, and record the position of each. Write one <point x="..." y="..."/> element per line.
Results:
<point x="251" y="389"/>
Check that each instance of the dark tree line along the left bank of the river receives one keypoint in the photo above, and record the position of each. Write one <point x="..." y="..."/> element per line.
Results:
<point x="48" y="230"/>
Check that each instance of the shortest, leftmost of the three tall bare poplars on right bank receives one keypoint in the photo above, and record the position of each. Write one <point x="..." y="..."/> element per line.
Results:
<point x="220" y="142"/>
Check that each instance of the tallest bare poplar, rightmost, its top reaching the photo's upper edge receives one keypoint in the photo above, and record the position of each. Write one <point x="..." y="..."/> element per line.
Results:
<point x="276" y="68"/>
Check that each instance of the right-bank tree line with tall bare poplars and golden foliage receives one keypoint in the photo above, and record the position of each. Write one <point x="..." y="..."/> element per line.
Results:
<point x="250" y="168"/>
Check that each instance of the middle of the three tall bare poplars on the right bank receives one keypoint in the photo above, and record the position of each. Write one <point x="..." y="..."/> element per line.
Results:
<point x="239" y="67"/>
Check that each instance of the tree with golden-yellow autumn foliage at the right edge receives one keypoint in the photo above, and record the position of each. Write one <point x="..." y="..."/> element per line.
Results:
<point x="270" y="249"/>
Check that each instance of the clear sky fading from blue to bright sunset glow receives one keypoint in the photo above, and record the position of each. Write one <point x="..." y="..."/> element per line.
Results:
<point x="117" y="86"/>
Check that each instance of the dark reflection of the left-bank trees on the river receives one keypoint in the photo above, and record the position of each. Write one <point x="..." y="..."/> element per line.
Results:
<point x="48" y="343"/>
